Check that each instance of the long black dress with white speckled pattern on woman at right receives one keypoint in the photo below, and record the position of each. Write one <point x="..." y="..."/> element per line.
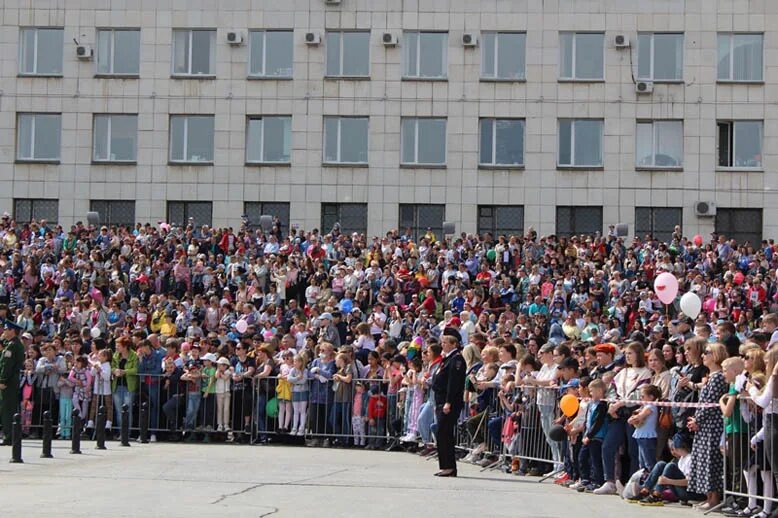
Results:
<point x="707" y="474"/>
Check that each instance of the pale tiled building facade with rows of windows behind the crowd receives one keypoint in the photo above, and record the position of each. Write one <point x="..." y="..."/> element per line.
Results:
<point x="564" y="115"/>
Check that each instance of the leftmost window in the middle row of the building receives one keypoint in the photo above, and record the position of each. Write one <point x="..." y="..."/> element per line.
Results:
<point x="38" y="136"/>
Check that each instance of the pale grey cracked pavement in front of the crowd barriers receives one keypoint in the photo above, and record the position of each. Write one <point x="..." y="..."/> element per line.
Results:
<point x="192" y="480"/>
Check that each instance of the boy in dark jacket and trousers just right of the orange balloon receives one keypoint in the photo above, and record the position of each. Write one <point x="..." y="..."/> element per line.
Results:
<point x="594" y="435"/>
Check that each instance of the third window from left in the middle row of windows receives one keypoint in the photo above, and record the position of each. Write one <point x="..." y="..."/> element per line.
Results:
<point x="191" y="138"/>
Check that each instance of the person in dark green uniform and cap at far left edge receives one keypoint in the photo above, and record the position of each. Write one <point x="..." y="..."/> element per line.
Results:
<point x="11" y="364"/>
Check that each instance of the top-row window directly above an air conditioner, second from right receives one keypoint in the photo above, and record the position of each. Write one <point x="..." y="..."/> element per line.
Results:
<point x="660" y="56"/>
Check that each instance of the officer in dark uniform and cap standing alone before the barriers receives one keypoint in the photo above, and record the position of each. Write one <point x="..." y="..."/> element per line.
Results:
<point x="448" y="385"/>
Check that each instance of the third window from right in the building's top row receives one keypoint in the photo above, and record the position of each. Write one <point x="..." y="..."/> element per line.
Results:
<point x="582" y="55"/>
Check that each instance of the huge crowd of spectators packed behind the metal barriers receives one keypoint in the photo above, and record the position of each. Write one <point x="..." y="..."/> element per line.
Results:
<point x="251" y="335"/>
